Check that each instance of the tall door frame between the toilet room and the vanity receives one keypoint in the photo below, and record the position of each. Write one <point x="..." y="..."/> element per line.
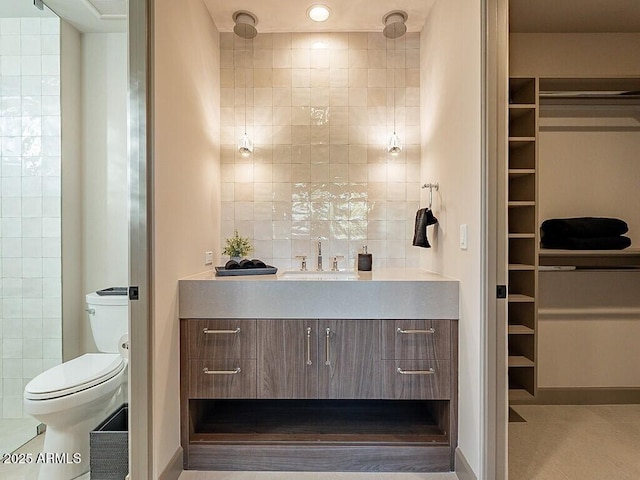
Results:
<point x="140" y="128"/>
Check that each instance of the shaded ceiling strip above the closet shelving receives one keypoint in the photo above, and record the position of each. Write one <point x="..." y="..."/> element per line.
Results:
<point x="574" y="16"/>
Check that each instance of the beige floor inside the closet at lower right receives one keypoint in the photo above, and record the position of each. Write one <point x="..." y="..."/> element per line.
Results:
<point x="568" y="442"/>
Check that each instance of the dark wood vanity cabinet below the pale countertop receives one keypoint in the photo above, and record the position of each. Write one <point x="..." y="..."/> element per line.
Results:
<point x="317" y="395"/>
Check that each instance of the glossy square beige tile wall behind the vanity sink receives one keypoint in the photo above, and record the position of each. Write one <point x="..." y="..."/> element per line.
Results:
<point x="319" y="109"/>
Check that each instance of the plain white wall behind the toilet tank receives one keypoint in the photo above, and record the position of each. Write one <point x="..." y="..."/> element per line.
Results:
<point x="105" y="223"/>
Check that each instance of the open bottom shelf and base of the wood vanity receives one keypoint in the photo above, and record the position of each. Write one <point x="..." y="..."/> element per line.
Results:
<point x="320" y="435"/>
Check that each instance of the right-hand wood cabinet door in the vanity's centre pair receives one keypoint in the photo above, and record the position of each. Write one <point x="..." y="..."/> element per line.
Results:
<point x="349" y="358"/>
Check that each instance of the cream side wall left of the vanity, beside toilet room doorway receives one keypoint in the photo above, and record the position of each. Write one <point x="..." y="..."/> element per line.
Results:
<point x="186" y="217"/>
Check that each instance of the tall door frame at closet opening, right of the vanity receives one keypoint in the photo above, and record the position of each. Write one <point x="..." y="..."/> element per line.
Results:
<point x="495" y="75"/>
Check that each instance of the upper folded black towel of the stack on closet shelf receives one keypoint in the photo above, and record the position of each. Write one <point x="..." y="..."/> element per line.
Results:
<point x="583" y="227"/>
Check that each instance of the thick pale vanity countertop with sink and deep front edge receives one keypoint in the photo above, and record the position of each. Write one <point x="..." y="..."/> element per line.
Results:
<point x="410" y="293"/>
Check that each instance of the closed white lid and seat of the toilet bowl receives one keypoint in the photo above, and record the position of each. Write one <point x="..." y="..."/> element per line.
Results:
<point x="78" y="374"/>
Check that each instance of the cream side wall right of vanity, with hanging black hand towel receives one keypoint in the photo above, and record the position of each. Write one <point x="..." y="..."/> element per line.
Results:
<point x="451" y="155"/>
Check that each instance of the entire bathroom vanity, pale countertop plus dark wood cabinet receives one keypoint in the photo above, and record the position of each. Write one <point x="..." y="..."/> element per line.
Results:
<point x="319" y="375"/>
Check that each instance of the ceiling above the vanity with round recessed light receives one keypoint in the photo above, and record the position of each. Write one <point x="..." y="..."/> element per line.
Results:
<point x="291" y="15"/>
